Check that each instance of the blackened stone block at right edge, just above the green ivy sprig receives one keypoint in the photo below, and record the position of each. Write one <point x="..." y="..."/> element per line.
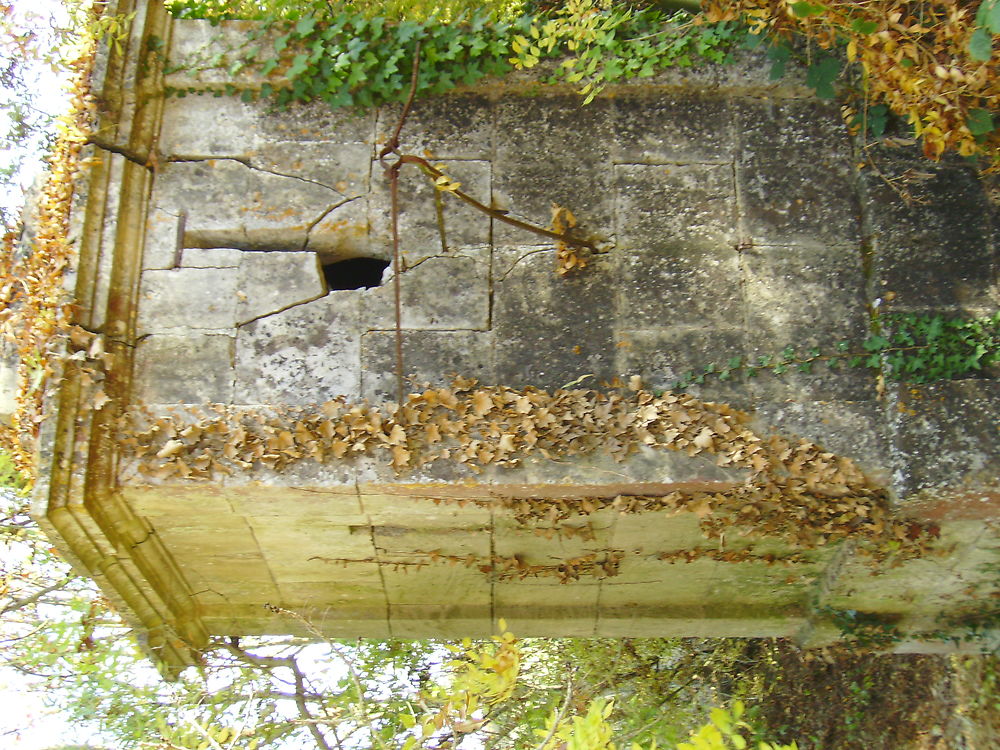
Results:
<point x="935" y="251"/>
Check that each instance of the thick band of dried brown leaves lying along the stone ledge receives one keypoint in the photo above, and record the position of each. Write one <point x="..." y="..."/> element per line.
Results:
<point x="796" y="492"/>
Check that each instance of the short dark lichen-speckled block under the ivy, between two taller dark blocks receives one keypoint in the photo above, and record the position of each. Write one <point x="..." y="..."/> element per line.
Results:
<point x="678" y="129"/>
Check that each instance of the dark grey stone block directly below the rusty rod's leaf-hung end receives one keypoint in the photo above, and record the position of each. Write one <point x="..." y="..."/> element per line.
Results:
<point x="551" y="330"/>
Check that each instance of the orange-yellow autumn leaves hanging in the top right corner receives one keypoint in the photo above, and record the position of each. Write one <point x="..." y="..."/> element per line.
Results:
<point x="930" y="61"/>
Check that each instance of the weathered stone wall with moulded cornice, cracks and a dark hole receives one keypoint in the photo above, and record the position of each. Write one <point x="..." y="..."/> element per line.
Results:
<point x="732" y="220"/>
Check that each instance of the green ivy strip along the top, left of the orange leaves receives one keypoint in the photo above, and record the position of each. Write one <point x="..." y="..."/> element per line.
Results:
<point x="351" y="58"/>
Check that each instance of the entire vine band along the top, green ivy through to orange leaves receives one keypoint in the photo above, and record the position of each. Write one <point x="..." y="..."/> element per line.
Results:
<point x="929" y="61"/>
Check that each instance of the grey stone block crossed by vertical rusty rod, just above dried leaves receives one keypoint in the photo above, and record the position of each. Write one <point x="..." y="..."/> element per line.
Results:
<point x="428" y="356"/>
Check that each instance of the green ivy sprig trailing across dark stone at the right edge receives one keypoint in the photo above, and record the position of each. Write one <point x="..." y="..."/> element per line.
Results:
<point x="908" y="348"/>
